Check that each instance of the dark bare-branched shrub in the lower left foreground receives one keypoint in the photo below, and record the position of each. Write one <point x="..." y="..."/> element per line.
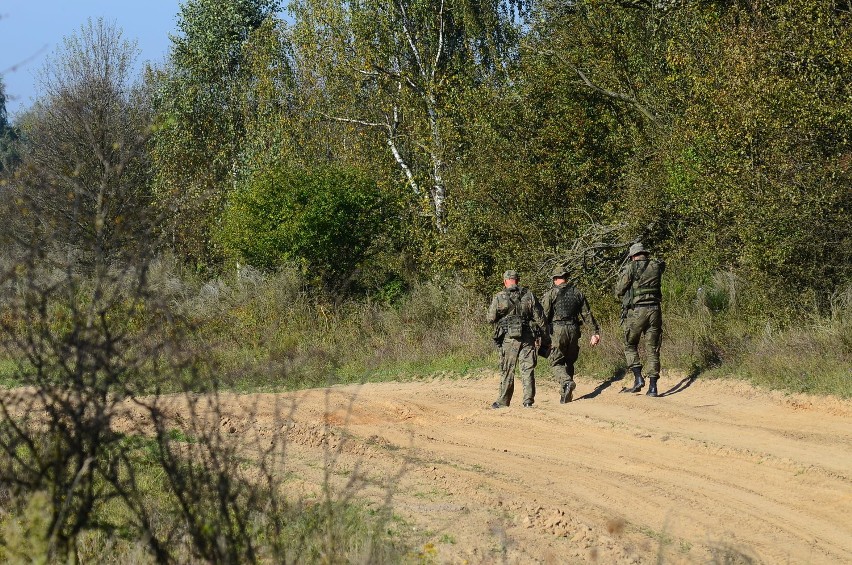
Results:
<point x="94" y="351"/>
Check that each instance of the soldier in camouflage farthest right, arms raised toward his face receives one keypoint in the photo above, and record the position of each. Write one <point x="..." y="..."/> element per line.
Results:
<point x="638" y="287"/>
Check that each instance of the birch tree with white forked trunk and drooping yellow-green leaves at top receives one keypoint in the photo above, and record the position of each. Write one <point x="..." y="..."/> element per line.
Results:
<point x="394" y="66"/>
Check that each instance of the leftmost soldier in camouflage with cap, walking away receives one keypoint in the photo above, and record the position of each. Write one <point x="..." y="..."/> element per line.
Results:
<point x="518" y="325"/>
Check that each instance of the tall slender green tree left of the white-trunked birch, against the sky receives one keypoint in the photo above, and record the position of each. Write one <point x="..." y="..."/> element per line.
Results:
<point x="200" y="126"/>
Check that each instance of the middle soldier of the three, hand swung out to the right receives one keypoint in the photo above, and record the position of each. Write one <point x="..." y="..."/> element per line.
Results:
<point x="565" y="310"/>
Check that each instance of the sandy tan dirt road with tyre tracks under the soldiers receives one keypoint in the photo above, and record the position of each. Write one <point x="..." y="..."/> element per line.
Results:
<point x="712" y="471"/>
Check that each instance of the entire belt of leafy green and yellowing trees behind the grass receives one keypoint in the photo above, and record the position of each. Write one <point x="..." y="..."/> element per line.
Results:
<point x="500" y="132"/>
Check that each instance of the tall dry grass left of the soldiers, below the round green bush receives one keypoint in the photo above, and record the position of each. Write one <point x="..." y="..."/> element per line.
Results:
<point x="272" y="332"/>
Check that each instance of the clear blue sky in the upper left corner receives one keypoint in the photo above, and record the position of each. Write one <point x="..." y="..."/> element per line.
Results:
<point x="32" y="29"/>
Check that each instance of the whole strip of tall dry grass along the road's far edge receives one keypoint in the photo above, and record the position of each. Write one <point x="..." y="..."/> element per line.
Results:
<point x="272" y="332"/>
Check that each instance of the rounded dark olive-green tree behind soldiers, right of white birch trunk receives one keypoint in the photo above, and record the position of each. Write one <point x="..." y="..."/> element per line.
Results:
<point x="541" y="160"/>
